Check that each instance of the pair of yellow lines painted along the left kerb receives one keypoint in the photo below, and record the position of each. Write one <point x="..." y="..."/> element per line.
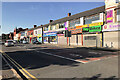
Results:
<point x="21" y="68"/>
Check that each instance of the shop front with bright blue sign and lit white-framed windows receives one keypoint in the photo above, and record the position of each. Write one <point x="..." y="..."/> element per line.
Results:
<point x="50" y="37"/>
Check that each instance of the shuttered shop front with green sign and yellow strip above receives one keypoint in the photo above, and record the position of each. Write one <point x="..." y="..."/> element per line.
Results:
<point x="92" y="35"/>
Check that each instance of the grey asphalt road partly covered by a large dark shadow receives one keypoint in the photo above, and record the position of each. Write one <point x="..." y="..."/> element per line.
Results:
<point x="49" y="61"/>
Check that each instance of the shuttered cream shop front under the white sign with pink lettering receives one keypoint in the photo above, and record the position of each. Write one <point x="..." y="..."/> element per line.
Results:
<point x="111" y="35"/>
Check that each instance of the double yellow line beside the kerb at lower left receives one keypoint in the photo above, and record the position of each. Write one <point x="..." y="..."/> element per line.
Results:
<point x="22" y="70"/>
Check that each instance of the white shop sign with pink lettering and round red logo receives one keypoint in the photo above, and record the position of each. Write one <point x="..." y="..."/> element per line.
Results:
<point x="112" y="27"/>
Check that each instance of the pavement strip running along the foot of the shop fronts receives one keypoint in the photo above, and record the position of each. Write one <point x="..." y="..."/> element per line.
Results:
<point x="78" y="46"/>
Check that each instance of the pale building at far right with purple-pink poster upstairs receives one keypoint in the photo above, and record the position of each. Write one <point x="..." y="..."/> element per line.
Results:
<point x="112" y="27"/>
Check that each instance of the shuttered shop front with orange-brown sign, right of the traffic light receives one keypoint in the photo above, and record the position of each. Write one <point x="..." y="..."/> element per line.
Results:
<point x="76" y="36"/>
